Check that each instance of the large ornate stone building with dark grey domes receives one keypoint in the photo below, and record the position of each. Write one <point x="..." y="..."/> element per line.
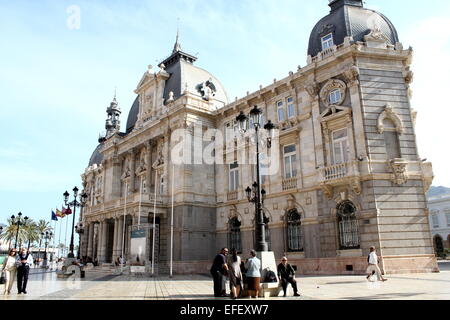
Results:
<point x="350" y="173"/>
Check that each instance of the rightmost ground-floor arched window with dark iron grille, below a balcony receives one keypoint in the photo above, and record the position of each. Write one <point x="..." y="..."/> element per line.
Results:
<point x="348" y="226"/>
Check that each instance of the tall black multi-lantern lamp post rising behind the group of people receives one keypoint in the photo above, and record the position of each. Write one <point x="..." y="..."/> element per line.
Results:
<point x="258" y="194"/>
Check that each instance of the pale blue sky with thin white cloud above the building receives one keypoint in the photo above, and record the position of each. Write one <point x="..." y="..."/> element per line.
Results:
<point x="57" y="77"/>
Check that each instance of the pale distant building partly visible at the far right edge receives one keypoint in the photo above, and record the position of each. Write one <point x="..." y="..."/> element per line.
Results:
<point x="439" y="207"/>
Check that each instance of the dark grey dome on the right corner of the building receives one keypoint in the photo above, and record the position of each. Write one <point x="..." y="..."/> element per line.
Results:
<point x="349" y="18"/>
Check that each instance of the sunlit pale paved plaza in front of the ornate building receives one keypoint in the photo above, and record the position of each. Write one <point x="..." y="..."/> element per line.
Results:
<point x="101" y="286"/>
